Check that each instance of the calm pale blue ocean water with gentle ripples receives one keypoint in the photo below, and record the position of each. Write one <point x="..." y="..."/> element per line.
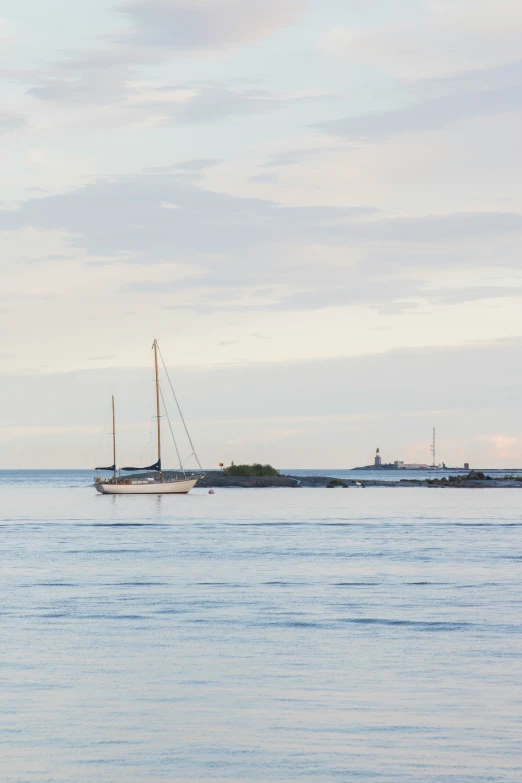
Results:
<point x="259" y="635"/>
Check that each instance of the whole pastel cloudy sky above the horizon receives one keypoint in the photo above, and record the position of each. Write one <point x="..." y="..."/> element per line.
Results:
<point x="314" y="205"/>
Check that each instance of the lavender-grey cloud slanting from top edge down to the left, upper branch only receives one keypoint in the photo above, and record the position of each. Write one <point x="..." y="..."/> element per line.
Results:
<point x="160" y="31"/>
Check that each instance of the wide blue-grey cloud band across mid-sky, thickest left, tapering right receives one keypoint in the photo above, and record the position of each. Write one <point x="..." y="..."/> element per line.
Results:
<point x="126" y="215"/>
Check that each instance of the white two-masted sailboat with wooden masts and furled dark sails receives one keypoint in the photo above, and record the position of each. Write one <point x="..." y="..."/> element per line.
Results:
<point x="157" y="485"/>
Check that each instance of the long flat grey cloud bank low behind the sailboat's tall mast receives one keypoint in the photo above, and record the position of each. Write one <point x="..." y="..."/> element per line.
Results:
<point x="399" y="380"/>
